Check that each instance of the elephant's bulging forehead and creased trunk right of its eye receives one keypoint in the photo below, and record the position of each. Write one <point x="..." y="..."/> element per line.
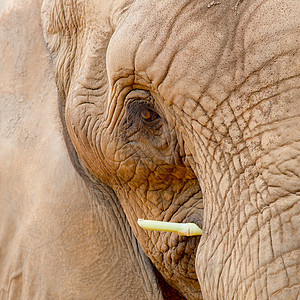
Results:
<point x="229" y="80"/>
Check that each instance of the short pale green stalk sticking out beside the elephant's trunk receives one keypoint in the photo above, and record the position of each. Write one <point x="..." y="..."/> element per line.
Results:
<point x="187" y="229"/>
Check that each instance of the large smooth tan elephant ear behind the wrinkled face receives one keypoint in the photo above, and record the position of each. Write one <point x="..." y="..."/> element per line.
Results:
<point x="60" y="237"/>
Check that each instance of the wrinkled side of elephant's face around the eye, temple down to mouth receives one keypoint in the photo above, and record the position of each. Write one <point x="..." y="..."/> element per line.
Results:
<point x="140" y="160"/>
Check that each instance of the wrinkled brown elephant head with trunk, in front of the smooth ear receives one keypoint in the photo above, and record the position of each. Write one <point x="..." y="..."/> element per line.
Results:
<point x="190" y="113"/>
